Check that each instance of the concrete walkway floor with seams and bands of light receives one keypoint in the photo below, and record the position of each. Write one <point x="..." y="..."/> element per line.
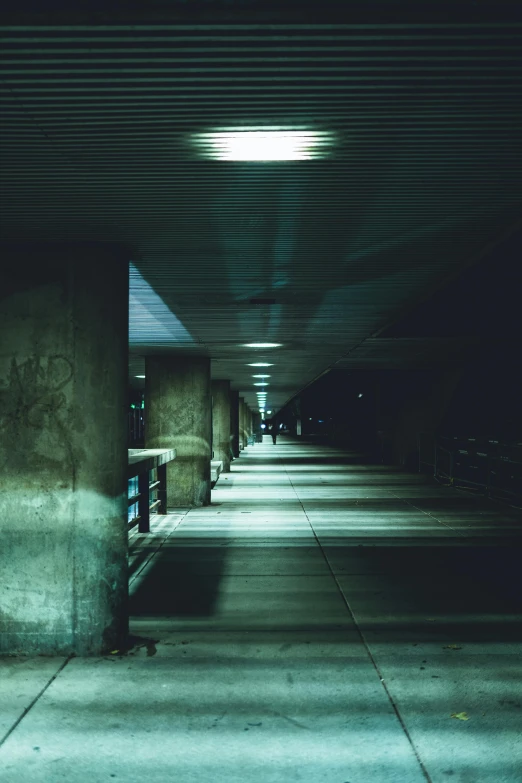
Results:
<point x="322" y="620"/>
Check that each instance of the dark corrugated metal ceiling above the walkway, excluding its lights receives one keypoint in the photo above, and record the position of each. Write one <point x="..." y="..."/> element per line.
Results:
<point x="425" y="172"/>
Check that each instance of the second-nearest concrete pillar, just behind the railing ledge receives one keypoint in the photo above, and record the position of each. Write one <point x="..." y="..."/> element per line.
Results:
<point x="178" y="416"/>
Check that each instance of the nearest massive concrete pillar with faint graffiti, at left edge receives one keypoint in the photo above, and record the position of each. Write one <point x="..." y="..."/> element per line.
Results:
<point x="63" y="448"/>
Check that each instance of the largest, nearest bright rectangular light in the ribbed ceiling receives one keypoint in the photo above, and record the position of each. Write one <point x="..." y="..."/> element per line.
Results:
<point x="263" y="144"/>
